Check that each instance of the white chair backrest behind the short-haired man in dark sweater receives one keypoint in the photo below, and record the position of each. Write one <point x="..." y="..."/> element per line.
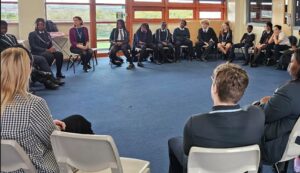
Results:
<point x="225" y="160"/>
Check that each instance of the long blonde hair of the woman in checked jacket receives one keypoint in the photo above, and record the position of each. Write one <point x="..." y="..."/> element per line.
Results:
<point x="15" y="74"/>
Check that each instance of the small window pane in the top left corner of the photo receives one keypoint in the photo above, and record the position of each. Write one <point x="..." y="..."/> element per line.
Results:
<point x="9" y="10"/>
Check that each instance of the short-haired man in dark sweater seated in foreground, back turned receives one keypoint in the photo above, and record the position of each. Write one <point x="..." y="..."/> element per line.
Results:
<point x="226" y="126"/>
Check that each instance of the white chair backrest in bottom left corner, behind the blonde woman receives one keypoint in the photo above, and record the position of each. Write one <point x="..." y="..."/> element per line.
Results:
<point x="13" y="157"/>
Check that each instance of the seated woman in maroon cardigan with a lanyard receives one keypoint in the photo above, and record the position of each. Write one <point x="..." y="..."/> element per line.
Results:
<point x="79" y="38"/>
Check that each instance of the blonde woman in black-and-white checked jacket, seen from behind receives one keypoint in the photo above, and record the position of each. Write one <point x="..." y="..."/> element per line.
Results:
<point x="26" y="118"/>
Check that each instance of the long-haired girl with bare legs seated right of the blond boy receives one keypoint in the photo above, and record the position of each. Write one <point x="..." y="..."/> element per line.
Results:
<point x="225" y="39"/>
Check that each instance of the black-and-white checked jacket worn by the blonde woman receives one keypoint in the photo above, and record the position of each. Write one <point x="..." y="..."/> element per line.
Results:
<point x="27" y="121"/>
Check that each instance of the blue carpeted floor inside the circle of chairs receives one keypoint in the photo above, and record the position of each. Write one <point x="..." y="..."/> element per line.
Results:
<point x="141" y="109"/>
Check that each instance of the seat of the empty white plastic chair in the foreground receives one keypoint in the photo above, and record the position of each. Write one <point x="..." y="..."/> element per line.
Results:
<point x="129" y="165"/>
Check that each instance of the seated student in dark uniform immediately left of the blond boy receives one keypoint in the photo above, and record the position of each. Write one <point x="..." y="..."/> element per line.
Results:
<point x="181" y="36"/>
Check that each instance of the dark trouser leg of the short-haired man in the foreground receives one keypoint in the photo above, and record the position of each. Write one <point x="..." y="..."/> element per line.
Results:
<point x="178" y="160"/>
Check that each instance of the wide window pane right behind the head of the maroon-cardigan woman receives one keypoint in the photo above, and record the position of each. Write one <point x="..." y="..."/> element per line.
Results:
<point x="65" y="13"/>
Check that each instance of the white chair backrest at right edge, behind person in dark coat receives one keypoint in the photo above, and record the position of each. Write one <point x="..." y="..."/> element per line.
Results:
<point x="292" y="149"/>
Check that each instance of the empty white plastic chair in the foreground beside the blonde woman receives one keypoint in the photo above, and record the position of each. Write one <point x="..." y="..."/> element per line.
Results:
<point x="92" y="153"/>
